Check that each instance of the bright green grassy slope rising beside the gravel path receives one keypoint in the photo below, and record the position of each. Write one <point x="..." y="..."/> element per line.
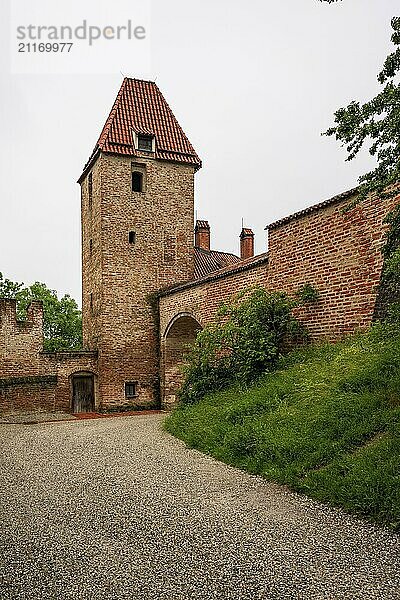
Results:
<point x="327" y="424"/>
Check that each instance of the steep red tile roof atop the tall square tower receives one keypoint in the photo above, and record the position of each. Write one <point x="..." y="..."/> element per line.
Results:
<point x="141" y="107"/>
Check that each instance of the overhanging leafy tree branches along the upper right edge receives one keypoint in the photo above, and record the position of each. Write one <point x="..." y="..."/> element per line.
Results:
<point x="376" y="124"/>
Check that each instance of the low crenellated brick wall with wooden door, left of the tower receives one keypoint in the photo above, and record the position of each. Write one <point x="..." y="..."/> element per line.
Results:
<point x="31" y="379"/>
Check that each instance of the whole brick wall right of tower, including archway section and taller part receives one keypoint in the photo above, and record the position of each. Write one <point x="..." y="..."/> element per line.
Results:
<point x="337" y="251"/>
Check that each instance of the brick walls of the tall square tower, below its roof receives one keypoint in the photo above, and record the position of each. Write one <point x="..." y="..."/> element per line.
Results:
<point x="122" y="324"/>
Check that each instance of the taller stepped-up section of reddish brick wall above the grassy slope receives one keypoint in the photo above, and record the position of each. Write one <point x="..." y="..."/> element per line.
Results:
<point x="339" y="253"/>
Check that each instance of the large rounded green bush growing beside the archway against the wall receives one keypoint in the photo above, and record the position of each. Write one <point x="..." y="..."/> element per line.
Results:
<point x="245" y="342"/>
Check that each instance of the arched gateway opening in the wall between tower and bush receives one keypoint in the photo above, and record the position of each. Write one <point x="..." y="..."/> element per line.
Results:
<point x="180" y="334"/>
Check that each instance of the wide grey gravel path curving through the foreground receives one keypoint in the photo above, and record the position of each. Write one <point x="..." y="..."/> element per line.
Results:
<point x="118" y="509"/>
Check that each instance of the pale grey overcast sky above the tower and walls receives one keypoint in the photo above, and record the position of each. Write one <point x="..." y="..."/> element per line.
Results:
<point x="253" y="85"/>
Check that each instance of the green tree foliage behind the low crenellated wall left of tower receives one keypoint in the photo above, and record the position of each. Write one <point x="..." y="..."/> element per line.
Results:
<point x="62" y="320"/>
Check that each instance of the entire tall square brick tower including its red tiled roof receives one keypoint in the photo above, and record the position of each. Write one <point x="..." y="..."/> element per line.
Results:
<point x="137" y="237"/>
